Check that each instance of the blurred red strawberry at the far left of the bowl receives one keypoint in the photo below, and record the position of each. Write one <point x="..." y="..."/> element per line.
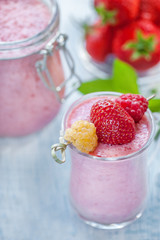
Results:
<point x="98" y="38"/>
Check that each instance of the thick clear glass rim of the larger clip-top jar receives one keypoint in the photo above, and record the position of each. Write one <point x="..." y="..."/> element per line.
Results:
<point x="38" y="38"/>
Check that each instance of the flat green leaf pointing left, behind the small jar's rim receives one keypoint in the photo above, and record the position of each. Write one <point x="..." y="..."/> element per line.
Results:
<point x="97" y="85"/>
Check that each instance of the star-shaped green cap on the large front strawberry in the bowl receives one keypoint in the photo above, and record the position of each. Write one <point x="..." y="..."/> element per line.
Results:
<point x="142" y="46"/>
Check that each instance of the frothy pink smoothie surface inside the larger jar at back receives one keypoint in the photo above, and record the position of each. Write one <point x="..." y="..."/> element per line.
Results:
<point x="22" y="19"/>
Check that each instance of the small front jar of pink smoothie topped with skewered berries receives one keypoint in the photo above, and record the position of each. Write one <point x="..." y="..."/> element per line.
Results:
<point x="109" y="175"/>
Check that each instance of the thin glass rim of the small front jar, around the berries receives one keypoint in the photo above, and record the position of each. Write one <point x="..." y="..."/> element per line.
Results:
<point x="121" y="158"/>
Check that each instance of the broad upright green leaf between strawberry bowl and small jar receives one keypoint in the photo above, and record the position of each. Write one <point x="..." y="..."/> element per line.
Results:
<point x="124" y="78"/>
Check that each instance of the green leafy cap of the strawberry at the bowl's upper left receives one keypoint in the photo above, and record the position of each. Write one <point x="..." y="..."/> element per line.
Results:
<point x="107" y="16"/>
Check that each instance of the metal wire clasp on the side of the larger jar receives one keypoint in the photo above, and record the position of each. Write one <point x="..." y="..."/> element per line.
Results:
<point x="56" y="44"/>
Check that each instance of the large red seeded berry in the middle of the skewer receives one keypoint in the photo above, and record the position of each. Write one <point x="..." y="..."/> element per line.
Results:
<point x="113" y="124"/>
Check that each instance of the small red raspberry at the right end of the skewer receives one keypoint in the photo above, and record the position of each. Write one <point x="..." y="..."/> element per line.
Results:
<point x="136" y="105"/>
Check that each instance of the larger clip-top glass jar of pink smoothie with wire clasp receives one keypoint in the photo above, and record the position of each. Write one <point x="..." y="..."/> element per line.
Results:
<point x="32" y="76"/>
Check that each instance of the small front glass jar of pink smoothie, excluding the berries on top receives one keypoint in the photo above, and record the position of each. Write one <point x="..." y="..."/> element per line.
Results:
<point x="108" y="186"/>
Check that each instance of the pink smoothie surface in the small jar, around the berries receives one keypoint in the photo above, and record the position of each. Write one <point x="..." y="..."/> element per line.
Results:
<point x="82" y="112"/>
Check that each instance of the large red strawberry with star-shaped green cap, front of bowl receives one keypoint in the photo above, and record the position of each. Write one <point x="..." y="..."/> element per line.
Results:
<point x="138" y="44"/>
